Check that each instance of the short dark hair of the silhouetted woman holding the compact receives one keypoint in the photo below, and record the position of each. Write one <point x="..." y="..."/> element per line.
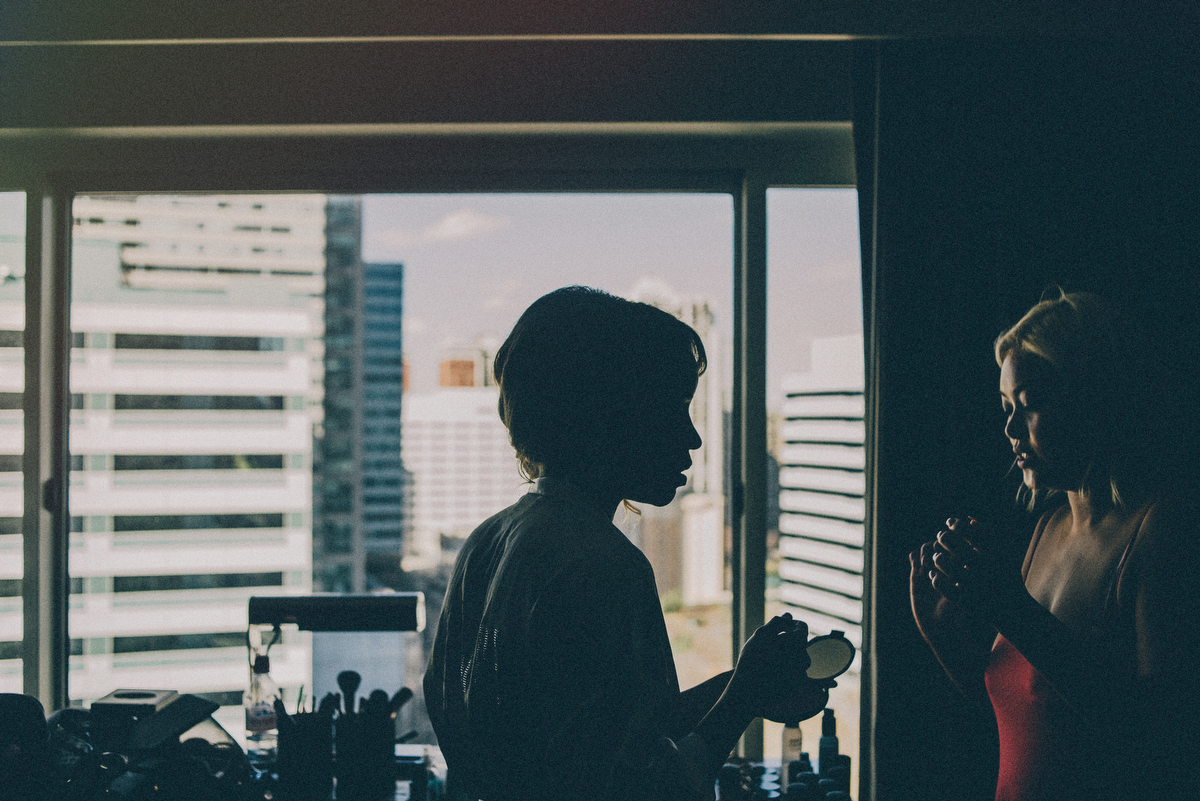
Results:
<point x="578" y="364"/>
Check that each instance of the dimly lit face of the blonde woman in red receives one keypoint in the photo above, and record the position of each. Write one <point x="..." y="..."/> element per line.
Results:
<point x="1043" y="424"/>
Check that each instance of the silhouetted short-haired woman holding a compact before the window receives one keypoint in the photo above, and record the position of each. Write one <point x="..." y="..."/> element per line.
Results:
<point x="551" y="674"/>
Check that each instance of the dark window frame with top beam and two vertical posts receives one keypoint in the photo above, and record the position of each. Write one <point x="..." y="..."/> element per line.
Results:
<point x="741" y="160"/>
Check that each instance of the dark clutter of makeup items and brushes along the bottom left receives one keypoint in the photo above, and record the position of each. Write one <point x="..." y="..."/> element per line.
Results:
<point x="154" y="745"/>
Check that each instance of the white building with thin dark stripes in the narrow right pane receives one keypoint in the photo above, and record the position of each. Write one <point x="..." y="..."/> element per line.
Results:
<point x="821" y="490"/>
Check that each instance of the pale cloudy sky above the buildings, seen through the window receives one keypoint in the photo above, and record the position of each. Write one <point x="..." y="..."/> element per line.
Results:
<point x="475" y="262"/>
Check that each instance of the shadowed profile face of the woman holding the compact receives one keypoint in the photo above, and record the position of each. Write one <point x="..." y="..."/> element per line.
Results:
<point x="656" y="451"/>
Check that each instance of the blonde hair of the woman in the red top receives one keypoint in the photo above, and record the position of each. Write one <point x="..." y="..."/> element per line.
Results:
<point x="1090" y="346"/>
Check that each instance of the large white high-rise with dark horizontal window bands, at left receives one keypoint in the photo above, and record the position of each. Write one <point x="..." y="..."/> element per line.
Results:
<point x="195" y="378"/>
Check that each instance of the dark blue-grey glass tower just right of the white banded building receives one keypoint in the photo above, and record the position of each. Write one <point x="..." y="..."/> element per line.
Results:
<point x="359" y="480"/>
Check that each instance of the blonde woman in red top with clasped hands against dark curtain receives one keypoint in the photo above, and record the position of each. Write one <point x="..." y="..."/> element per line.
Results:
<point x="1087" y="653"/>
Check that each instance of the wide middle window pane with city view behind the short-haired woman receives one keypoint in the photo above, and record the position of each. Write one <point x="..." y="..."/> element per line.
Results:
<point x="286" y="394"/>
